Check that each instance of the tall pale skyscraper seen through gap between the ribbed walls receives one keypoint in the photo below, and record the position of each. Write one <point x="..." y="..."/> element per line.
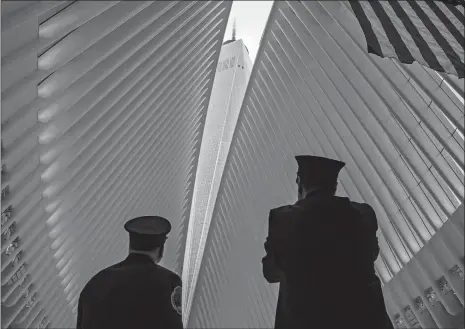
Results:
<point x="232" y="75"/>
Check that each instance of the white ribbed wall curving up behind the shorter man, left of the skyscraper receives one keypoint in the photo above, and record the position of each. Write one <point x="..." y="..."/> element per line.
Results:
<point x="103" y="106"/>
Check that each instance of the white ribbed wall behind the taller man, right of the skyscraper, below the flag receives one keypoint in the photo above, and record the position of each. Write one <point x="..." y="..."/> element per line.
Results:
<point x="400" y="128"/>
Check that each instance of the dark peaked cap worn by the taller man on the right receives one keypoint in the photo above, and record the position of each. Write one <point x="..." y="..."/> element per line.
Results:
<point x="318" y="170"/>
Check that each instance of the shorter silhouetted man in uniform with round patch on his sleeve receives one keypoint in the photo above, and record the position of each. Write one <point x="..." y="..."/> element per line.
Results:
<point x="137" y="292"/>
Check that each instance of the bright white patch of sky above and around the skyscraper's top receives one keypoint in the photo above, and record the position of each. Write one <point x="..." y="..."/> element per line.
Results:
<point x="251" y="17"/>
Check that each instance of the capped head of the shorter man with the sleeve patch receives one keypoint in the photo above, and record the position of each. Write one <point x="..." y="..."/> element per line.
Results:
<point x="147" y="235"/>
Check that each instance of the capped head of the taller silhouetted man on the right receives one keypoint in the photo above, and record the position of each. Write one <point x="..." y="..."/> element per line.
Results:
<point x="317" y="174"/>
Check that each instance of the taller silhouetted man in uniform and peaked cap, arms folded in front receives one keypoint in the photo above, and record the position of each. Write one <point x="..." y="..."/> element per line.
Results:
<point x="322" y="251"/>
